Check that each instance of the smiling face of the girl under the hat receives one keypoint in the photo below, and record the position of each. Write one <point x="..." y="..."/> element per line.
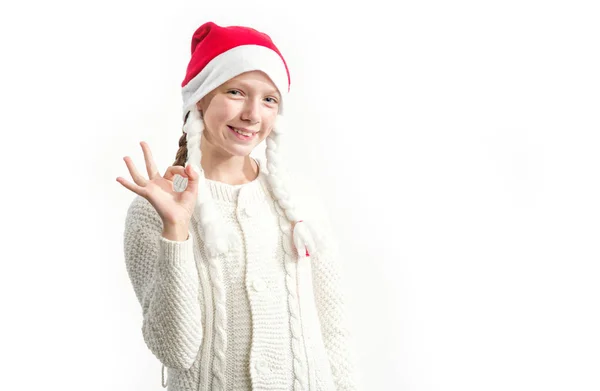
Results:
<point x="248" y="103"/>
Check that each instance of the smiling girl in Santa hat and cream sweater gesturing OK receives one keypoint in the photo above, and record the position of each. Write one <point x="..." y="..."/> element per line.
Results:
<point x="238" y="291"/>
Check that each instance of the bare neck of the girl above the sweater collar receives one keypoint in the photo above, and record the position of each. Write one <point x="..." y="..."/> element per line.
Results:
<point x="226" y="168"/>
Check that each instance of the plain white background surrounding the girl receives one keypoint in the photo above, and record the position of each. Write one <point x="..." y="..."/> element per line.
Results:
<point x="455" y="143"/>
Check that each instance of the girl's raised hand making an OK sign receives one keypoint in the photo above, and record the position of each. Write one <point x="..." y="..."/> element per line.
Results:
<point x="174" y="208"/>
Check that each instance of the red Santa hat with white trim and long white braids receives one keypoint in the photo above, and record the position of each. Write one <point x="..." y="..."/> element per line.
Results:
<point x="219" y="54"/>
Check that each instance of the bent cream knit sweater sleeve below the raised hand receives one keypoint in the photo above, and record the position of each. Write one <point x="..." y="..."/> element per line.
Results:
<point x="165" y="280"/>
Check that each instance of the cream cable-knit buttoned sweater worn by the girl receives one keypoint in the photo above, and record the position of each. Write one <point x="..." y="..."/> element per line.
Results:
<point x="286" y="327"/>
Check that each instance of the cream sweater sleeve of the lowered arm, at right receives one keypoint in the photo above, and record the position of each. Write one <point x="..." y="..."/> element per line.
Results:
<point x="330" y="296"/>
